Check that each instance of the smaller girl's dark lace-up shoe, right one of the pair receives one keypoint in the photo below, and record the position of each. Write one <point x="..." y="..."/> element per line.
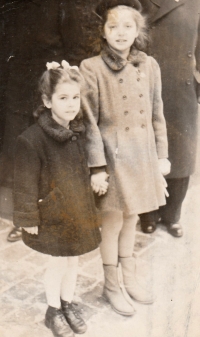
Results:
<point x="72" y="317"/>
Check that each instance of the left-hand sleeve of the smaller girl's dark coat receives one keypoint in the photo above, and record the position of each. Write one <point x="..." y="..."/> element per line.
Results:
<point x="26" y="179"/>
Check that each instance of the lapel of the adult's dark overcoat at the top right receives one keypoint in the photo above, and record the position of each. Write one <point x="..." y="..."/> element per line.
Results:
<point x="165" y="6"/>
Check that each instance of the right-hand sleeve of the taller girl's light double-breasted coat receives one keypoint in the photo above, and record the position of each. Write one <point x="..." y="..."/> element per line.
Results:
<point x="158" y="119"/>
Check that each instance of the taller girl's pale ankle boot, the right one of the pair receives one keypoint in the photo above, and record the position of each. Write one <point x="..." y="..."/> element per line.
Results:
<point x="133" y="288"/>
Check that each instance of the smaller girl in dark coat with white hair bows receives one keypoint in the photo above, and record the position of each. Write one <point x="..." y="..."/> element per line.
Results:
<point x="53" y="201"/>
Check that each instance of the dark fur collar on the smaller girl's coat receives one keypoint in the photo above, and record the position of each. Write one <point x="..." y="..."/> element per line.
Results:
<point x="57" y="131"/>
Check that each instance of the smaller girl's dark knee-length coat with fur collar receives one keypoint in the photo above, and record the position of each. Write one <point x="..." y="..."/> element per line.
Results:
<point x="52" y="189"/>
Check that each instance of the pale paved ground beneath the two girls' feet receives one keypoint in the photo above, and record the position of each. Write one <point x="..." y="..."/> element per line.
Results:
<point x="167" y="266"/>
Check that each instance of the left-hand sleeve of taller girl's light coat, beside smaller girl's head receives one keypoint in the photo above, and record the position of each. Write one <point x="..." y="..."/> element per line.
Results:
<point x="90" y="107"/>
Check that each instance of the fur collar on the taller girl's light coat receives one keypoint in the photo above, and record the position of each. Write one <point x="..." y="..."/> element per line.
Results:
<point x="116" y="62"/>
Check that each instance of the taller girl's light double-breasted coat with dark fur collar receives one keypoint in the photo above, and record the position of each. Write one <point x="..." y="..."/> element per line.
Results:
<point x="126" y="129"/>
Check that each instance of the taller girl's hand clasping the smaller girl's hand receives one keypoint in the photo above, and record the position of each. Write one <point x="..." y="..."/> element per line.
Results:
<point x="99" y="182"/>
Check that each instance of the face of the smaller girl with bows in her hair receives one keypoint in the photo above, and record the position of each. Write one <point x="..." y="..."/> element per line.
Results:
<point x="65" y="102"/>
